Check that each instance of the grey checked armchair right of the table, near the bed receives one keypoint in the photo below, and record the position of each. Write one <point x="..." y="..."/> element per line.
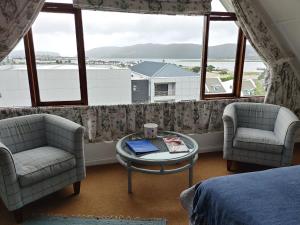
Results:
<point x="259" y="133"/>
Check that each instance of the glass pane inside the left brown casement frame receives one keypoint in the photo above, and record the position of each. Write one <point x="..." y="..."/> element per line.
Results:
<point x="56" y="57"/>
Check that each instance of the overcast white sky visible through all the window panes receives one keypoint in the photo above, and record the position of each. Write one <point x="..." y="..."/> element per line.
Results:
<point x="55" y="32"/>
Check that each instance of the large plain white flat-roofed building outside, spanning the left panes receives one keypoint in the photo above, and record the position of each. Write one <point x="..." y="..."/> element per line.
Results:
<point x="107" y="85"/>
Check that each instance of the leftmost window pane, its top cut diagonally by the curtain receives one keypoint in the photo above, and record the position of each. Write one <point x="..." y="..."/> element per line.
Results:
<point x="14" y="86"/>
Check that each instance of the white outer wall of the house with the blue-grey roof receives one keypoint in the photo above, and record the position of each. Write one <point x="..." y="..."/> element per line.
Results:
<point x="186" y="88"/>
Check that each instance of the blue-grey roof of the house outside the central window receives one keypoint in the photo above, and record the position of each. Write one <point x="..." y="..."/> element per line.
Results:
<point x="159" y="69"/>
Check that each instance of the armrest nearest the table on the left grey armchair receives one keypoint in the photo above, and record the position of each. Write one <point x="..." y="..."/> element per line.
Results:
<point x="65" y="134"/>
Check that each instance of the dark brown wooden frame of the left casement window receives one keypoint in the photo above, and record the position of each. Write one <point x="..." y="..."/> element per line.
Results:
<point x="63" y="8"/>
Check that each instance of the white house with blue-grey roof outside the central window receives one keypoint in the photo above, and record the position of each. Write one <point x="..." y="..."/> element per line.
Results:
<point x="166" y="82"/>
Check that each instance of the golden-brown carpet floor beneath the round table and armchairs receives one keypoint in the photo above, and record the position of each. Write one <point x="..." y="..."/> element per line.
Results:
<point x="104" y="193"/>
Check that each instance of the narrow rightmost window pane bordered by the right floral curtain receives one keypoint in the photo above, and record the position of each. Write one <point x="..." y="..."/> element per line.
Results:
<point x="254" y="74"/>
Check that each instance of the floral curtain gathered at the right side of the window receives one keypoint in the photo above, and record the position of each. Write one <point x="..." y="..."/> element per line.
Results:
<point x="283" y="85"/>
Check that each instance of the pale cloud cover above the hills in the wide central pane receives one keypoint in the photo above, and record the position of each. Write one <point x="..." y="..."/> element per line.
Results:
<point x="143" y="28"/>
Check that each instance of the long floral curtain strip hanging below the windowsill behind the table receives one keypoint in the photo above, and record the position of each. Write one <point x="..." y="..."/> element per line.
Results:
<point x="106" y="123"/>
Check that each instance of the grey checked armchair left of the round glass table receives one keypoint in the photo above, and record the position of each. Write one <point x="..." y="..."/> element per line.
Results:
<point x="39" y="154"/>
